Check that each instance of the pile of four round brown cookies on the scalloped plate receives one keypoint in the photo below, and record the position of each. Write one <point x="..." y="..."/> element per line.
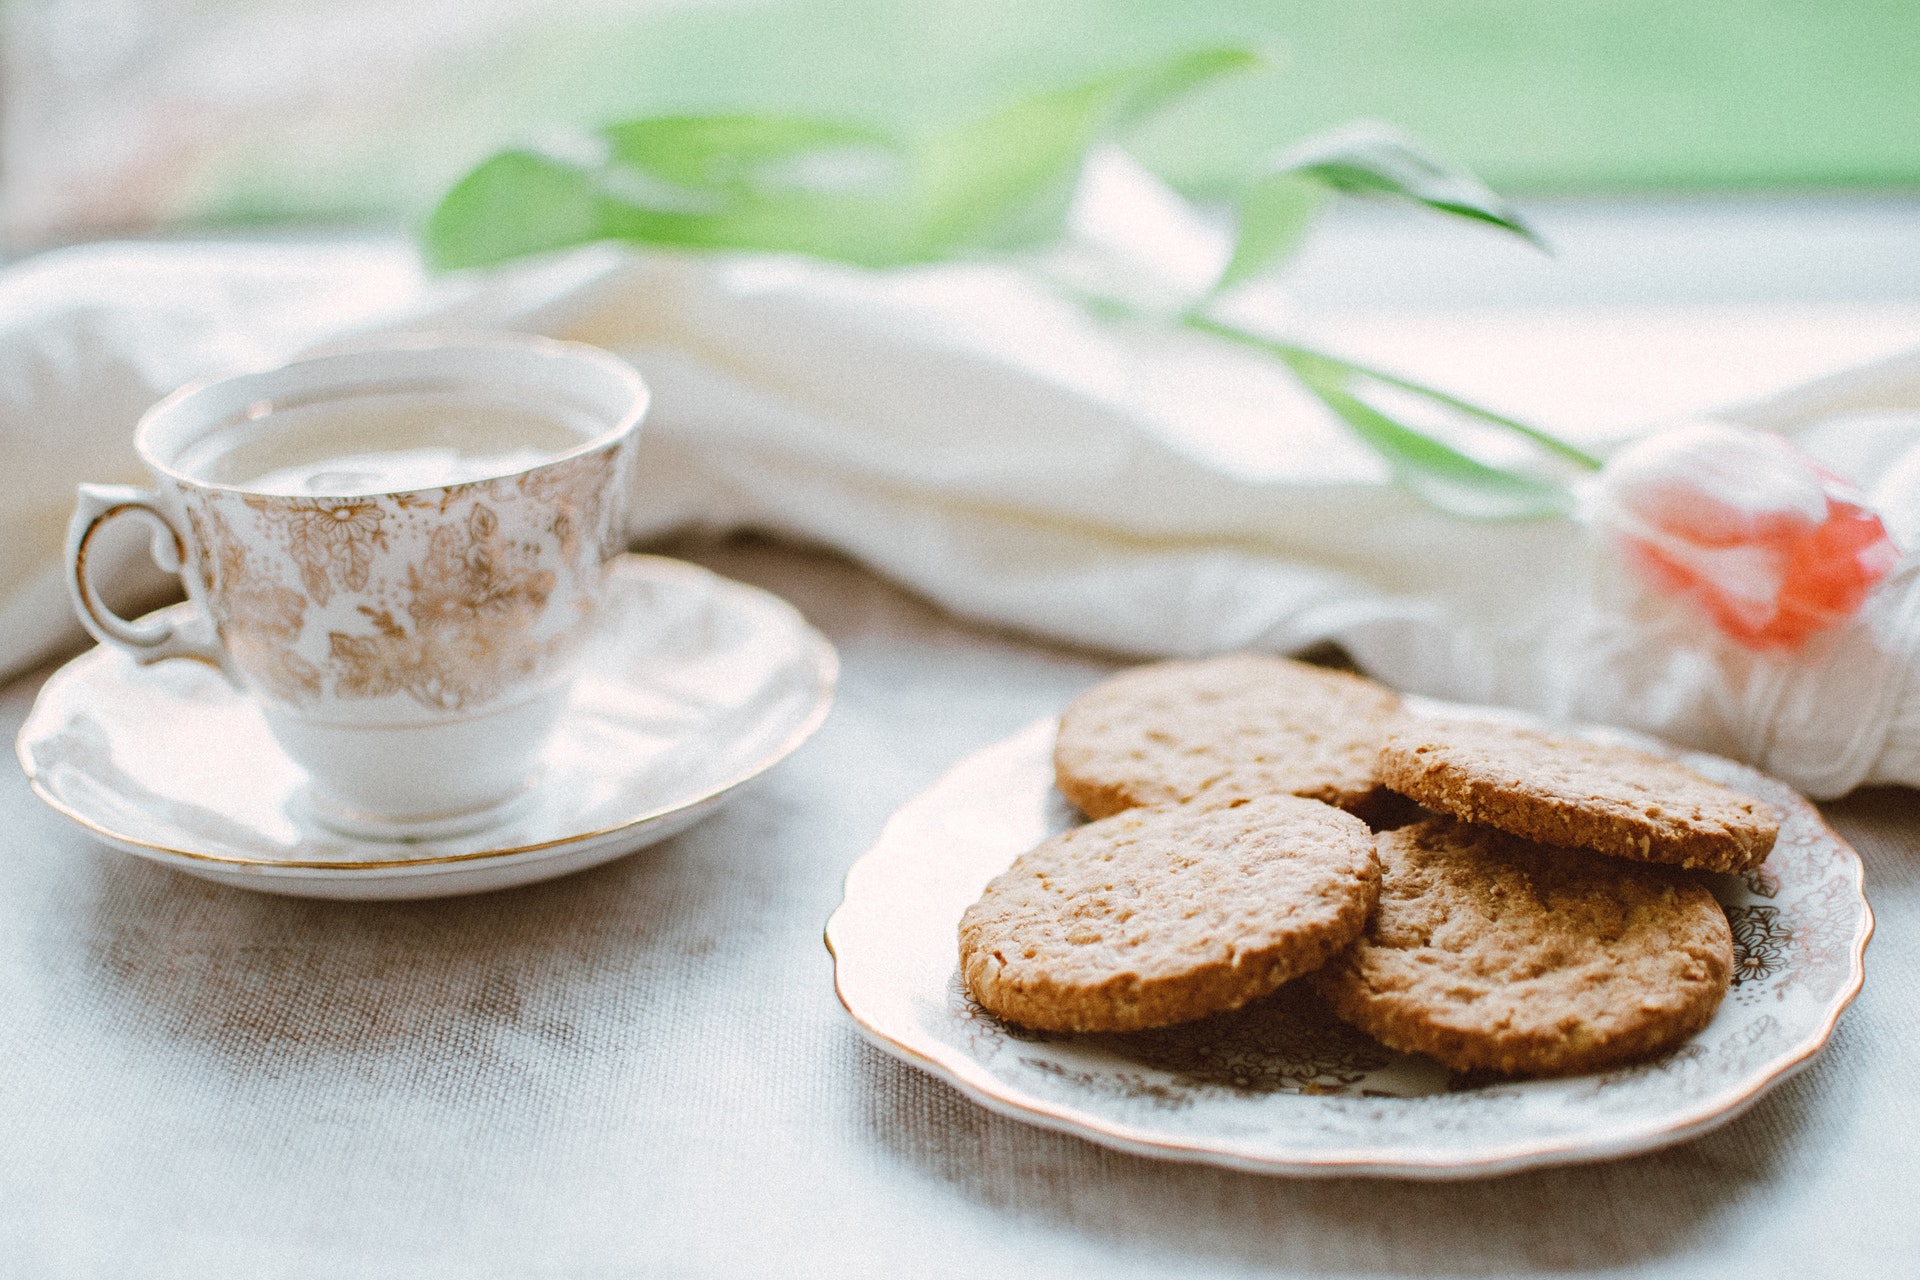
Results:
<point x="1539" y="913"/>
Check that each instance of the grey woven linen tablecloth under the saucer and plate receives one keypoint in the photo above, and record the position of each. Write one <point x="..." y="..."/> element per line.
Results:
<point x="642" y="1070"/>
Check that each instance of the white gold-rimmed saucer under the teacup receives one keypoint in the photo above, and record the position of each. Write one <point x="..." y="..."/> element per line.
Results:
<point x="694" y="686"/>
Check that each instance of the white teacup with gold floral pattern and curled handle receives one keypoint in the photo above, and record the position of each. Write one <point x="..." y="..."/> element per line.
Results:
<point x="396" y="552"/>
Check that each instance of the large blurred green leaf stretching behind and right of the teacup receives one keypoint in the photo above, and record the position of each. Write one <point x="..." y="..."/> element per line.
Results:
<point x="809" y="187"/>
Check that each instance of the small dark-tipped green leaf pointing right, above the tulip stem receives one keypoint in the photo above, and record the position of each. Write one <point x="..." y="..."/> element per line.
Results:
<point x="1378" y="160"/>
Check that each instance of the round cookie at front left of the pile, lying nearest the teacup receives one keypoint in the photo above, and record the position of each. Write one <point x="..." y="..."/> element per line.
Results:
<point x="1166" y="914"/>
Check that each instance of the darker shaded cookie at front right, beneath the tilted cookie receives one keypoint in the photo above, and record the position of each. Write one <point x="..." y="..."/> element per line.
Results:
<point x="1497" y="953"/>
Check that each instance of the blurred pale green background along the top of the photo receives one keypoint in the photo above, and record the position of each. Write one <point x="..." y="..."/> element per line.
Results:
<point x="1543" y="97"/>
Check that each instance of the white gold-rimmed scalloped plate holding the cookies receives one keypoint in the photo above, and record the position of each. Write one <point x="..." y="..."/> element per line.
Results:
<point x="1282" y="1085"/>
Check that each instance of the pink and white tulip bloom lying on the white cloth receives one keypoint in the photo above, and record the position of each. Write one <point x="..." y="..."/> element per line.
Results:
<point x="1746" y="529"/>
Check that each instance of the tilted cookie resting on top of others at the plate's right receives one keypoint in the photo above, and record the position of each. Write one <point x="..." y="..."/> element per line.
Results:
<point x="1579" y="795"/>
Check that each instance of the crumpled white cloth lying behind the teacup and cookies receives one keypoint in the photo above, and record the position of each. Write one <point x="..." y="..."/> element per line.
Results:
<point x="971" y="435"/>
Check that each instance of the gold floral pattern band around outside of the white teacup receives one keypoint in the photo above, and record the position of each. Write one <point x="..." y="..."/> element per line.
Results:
<point x="452" y="590"/>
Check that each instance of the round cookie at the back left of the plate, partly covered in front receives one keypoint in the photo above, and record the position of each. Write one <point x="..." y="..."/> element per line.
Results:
<point x="1224" y="728"/>
